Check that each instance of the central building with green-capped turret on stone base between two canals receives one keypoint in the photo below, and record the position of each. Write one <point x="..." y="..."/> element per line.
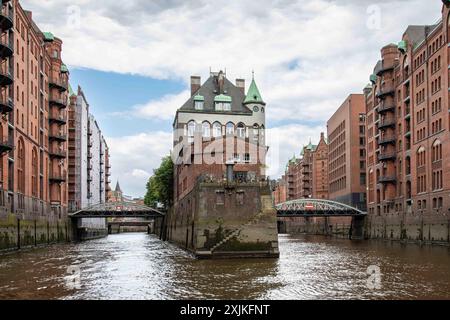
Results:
<point x="222" y="199"/>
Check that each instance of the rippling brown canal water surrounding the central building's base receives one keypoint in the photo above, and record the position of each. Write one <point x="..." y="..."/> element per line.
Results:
<point x="140" y="266"/>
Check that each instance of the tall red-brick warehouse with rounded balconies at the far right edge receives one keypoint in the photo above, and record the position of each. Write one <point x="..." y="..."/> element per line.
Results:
<point x="408" y="136"/>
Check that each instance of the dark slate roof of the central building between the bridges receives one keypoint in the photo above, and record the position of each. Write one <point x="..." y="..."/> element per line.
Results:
<point x="209" y="90"/>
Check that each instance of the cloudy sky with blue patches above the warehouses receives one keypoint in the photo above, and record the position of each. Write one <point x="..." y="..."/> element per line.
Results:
<point x="134" y="60"/>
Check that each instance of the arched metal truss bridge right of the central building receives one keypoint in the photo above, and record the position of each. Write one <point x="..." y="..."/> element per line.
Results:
<point x="316" y="208"/>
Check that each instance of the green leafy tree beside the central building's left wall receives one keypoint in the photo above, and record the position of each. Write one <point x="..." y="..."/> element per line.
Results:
<point x="160" y="185"/>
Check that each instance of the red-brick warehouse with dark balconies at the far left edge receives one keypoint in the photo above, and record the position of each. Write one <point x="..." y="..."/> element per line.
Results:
<point x="33" y="86"/>
